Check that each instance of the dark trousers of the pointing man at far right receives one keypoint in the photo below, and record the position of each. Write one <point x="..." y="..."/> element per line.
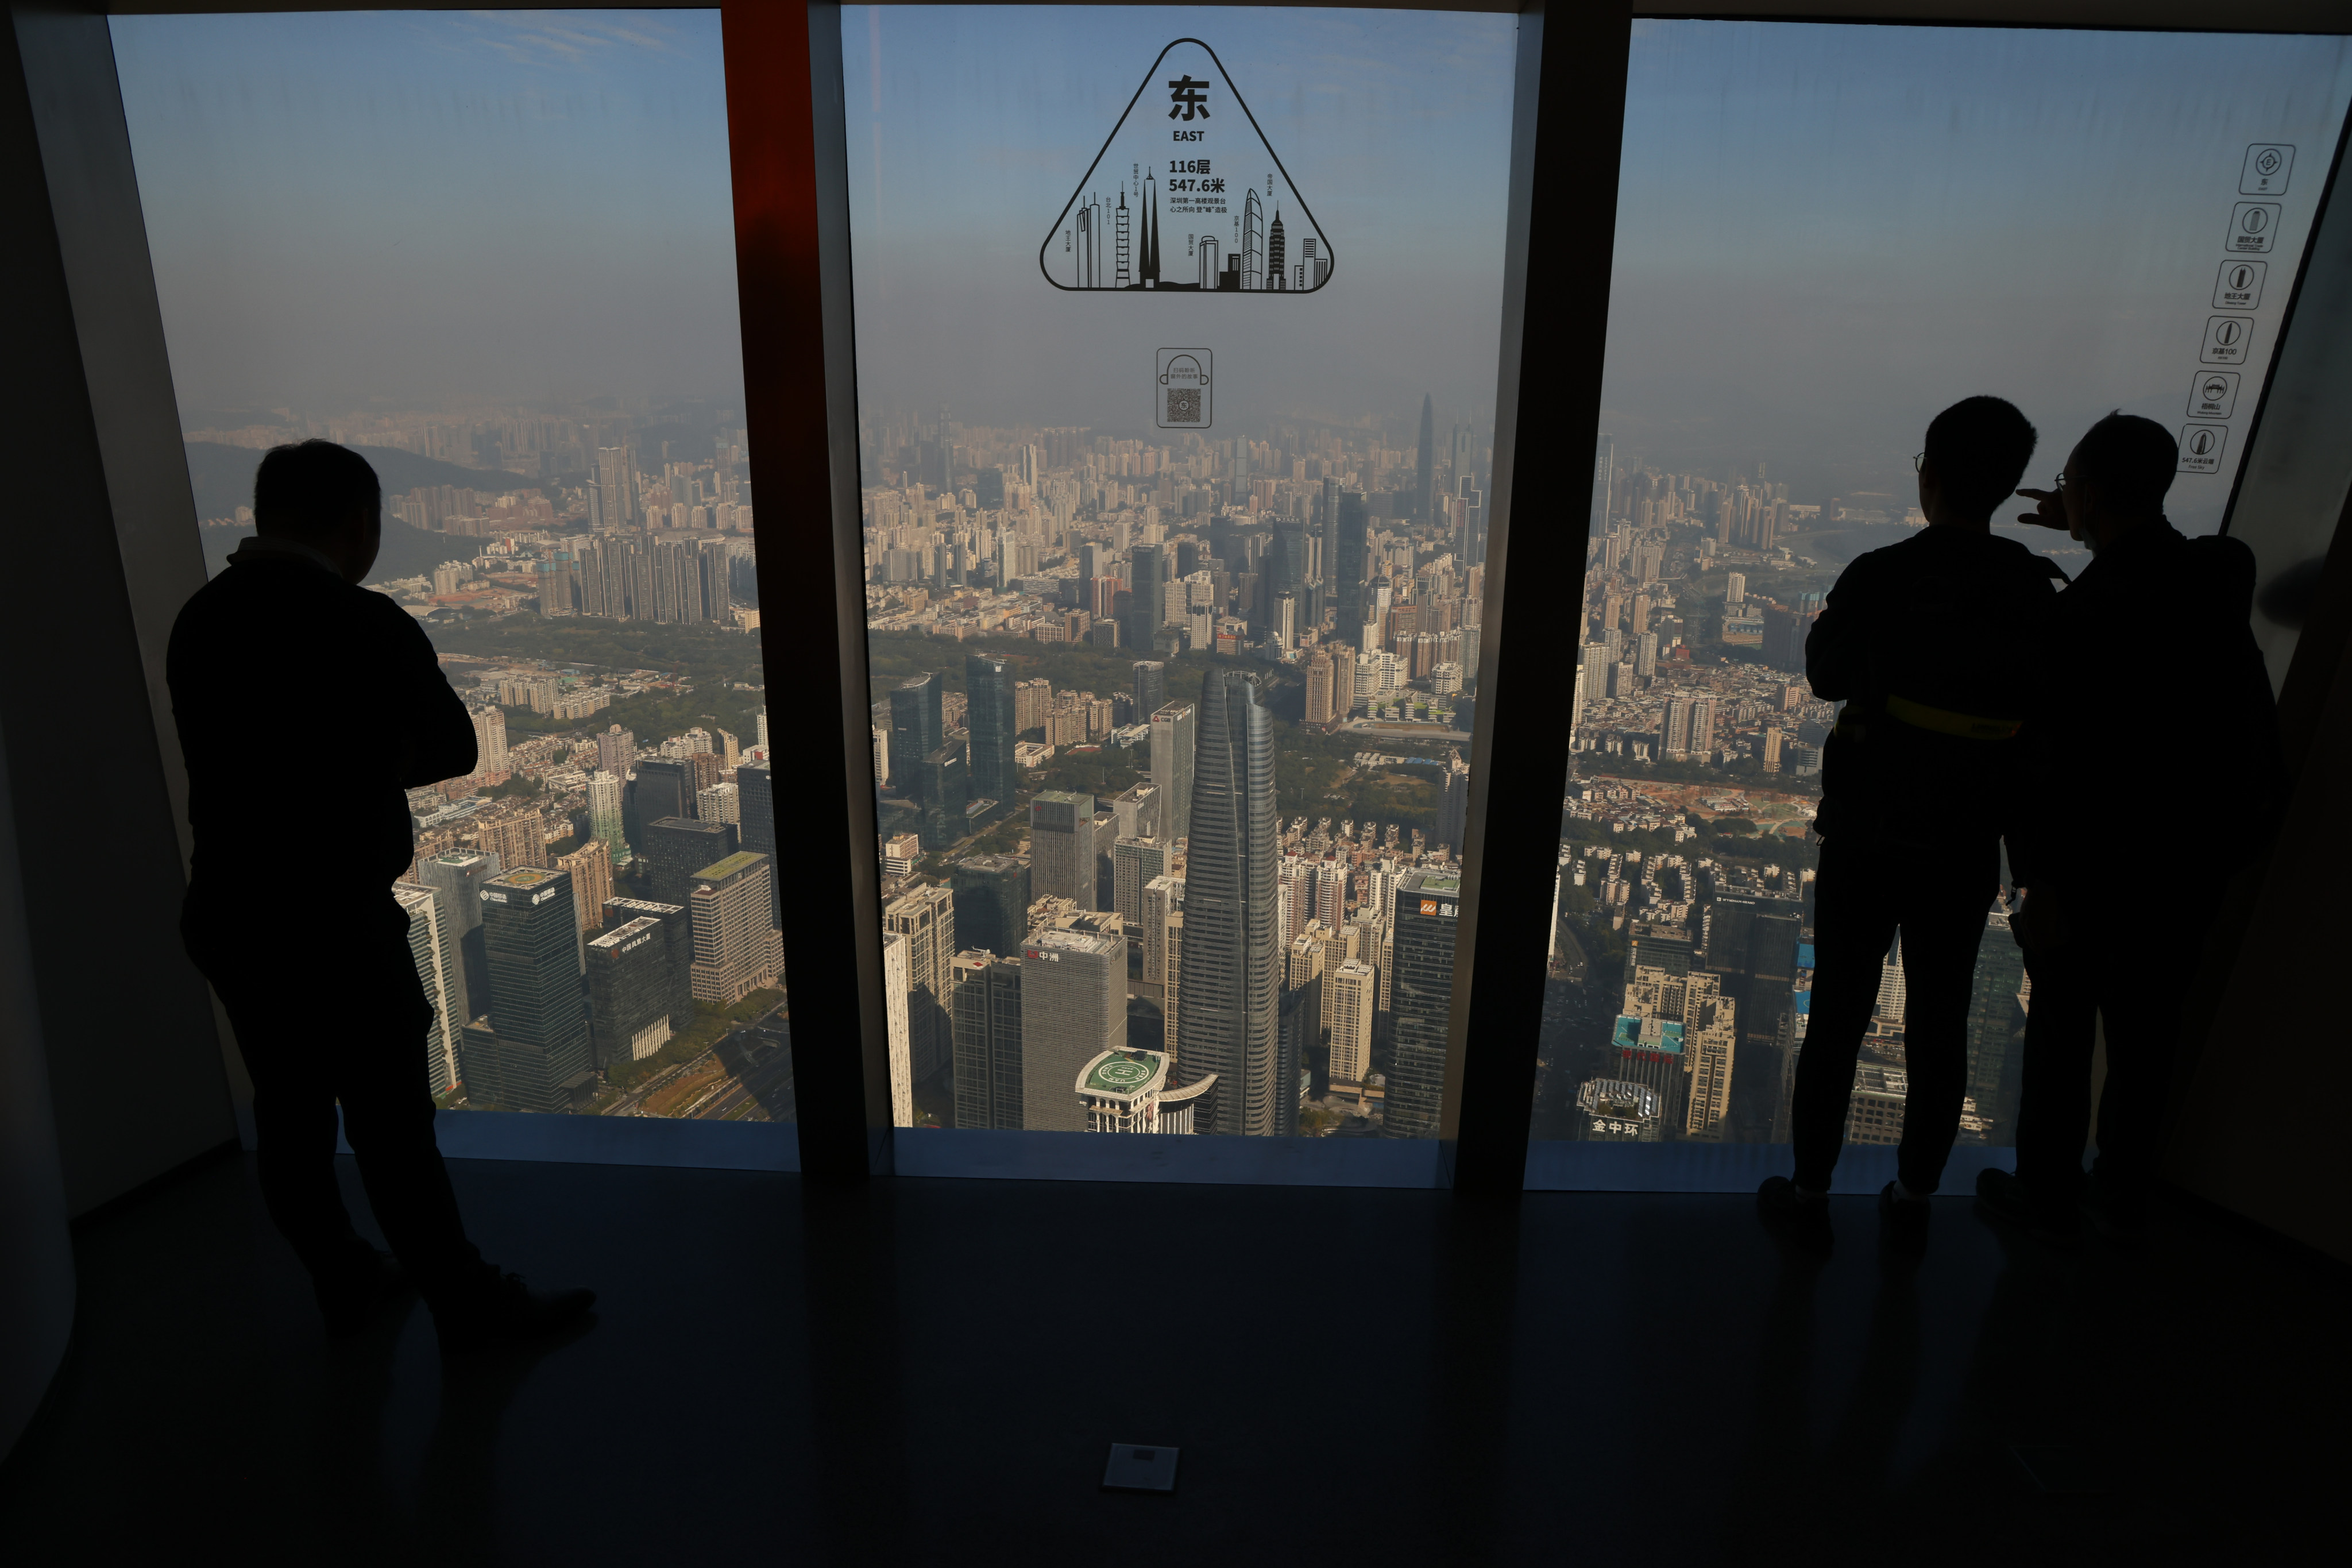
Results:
<point x="2125" y="963"/>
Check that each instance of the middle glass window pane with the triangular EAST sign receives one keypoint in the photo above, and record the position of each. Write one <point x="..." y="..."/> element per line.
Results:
<point x="1177" y="366"/>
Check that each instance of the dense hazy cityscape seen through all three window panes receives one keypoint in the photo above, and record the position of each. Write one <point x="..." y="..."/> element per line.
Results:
<point x="1170" y="749"/>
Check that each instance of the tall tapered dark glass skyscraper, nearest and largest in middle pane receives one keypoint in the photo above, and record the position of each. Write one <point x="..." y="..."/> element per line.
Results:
<point x="1231" y="960"/>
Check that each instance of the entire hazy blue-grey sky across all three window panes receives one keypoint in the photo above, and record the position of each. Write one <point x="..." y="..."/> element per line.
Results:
<point x="1824" y="234"/>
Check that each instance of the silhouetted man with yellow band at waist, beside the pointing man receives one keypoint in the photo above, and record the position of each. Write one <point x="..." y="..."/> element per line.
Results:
<point x="1930" y="645"/>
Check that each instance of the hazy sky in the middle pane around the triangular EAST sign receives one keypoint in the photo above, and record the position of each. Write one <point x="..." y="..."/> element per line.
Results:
<point x="973" y="126"/>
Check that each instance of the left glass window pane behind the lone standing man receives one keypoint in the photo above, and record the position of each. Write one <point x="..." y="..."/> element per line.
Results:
<point x="495" y="255"/>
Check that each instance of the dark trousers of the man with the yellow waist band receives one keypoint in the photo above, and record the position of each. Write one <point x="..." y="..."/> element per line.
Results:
<point x="1864" y="894"/>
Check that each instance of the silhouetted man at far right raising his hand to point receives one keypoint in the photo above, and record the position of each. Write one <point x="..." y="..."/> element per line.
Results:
<point x="2106" y="927"/>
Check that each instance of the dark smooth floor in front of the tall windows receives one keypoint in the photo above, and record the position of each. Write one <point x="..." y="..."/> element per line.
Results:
<point x="933" y="1372"/>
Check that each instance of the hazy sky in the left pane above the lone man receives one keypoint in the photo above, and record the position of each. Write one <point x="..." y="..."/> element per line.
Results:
<point x="427" y="206"/>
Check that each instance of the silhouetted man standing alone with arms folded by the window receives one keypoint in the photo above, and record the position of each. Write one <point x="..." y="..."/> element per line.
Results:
<point x="307" y="706"/>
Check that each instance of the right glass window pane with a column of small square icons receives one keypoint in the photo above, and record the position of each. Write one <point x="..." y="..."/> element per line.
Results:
<point x="1826" y="236"/>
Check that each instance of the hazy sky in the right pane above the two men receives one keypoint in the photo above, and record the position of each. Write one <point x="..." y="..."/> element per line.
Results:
<point x="1826" y="234"/>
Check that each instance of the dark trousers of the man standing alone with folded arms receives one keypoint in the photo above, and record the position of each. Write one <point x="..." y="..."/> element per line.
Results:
<point x="335" y="1014"/>
